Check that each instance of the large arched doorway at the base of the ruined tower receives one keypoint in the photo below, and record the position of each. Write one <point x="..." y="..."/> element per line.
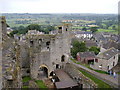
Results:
<point x="43" y="72"/>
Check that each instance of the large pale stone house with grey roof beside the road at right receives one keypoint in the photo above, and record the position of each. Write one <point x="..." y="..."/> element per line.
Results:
<point x="106" y="60"/>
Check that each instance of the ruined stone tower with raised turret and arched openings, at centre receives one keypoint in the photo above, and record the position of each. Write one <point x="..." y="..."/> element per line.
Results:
<point x="49" y="52"/>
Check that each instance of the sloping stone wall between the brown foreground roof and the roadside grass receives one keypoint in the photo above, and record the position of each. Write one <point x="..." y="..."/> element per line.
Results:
<point x="77" y="76"/>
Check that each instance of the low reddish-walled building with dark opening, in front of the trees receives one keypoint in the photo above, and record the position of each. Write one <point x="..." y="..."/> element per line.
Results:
<point x="86" y="57"/>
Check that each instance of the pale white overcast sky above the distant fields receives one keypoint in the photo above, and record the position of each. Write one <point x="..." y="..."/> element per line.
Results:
<point x="59" y="6"/>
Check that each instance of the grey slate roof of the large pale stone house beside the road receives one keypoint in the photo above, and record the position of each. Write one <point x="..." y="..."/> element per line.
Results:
<point x="108" y="54"/>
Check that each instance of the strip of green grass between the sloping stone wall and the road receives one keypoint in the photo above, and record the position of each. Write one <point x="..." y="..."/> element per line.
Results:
<point x="99" y="82"/>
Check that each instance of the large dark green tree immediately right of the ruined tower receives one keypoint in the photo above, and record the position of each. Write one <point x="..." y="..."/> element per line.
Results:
<point x="78" y="47"/>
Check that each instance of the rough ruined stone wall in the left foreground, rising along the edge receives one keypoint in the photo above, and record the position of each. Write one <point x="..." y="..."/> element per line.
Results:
<point x="10" y="62"/>
